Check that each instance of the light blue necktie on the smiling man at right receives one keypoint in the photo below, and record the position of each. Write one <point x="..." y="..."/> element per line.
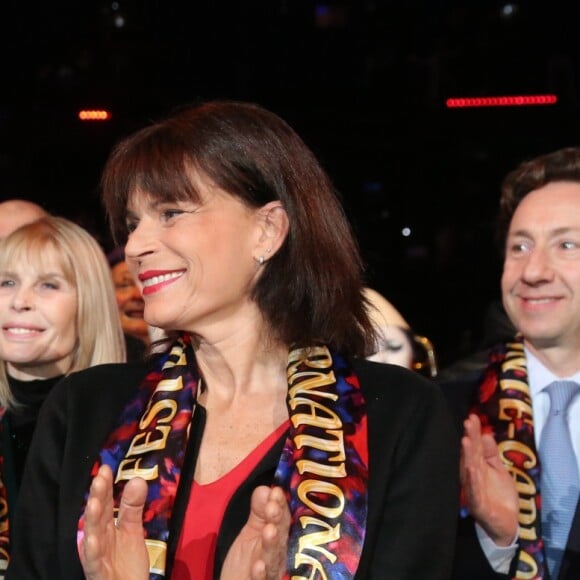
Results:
<point x="559" y="470"/>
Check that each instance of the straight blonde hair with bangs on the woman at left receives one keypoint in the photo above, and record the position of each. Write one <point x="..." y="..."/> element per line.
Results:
<point x="100" y="336"/>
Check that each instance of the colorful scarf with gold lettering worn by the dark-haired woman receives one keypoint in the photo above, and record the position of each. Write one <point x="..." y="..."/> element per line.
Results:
<point x="323" y="467"/>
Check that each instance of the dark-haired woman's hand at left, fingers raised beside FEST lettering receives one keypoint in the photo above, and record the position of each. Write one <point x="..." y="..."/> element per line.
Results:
<point x="112" y="551"/>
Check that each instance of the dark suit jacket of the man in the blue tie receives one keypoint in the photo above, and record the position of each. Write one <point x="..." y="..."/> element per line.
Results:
<point x="470" y="562"/>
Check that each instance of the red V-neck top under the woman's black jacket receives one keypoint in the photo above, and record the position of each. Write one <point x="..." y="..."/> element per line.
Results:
<point x="194" y="558"/>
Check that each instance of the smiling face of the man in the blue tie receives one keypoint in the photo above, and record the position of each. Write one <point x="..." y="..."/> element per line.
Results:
<point x="541" y="274"/>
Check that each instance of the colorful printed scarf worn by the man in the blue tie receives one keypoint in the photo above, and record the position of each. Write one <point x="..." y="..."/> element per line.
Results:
<point x="504" y="407"/>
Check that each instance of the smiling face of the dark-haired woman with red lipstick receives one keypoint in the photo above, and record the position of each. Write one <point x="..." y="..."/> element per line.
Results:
<point x="194" y="262"/>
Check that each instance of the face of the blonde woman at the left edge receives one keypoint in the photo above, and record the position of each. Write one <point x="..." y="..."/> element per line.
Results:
<point x="38" y="309"/>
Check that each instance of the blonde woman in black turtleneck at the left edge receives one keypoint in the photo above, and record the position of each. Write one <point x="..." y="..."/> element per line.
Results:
<point x="58" y="315"/>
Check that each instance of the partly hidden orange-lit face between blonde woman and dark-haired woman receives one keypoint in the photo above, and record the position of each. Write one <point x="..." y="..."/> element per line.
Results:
<point x="129" y="302"/>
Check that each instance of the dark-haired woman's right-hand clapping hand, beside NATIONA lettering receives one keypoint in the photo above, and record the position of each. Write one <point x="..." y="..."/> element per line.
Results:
<point x="259" y="552"/>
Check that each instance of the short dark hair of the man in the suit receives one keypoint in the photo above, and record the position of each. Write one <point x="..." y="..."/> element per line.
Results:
<point x="560" y="165"/>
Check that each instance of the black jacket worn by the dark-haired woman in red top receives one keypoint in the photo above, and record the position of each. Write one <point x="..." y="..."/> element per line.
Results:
<point x="413" y="475"/>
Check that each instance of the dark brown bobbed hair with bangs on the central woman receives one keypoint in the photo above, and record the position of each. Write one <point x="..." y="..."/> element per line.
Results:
<point x="311" y="290"/>
